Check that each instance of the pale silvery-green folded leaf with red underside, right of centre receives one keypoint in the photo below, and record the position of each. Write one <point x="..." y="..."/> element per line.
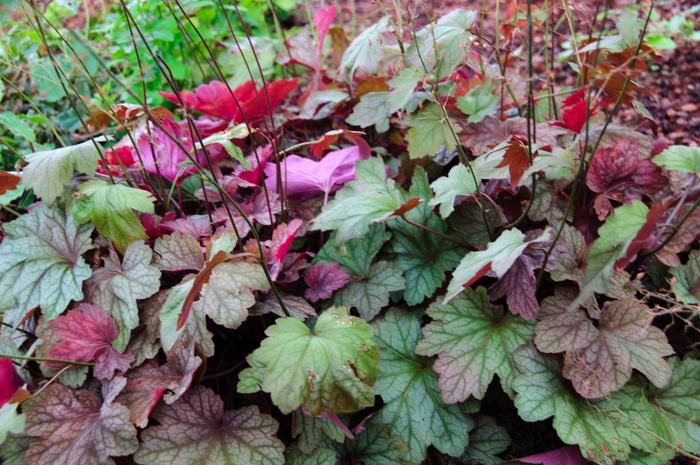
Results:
<point x="498" y="257"/>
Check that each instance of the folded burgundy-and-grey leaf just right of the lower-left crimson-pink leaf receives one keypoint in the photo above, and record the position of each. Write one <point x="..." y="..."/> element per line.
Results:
<point x="147" y="383"/>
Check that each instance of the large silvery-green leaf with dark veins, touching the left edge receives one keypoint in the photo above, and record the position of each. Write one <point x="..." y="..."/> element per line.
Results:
<point x="42" y="263"/>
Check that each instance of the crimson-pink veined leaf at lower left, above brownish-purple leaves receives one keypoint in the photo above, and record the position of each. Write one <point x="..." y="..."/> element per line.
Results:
<point x="88" y="334"/>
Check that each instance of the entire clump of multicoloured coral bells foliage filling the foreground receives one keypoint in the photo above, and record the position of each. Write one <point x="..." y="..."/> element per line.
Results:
<point x="251" y="279"/>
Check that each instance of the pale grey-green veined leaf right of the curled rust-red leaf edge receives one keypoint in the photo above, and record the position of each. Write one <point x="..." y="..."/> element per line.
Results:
<point x="228" y="295"/>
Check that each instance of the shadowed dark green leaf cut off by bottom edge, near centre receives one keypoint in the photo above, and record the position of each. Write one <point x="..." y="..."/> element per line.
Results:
<point x="374" y="446"/>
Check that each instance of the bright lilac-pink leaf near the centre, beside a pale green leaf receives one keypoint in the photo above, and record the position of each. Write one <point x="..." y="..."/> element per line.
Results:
<point x="306" y="178"/>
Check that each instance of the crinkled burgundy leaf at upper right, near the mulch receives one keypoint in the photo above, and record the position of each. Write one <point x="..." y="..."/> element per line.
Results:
<point x="620" y="174"/>
